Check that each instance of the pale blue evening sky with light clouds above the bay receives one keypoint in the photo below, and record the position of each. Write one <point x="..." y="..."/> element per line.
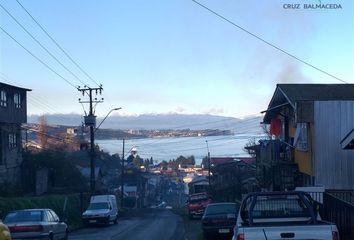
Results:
<point x="173" y="56"/>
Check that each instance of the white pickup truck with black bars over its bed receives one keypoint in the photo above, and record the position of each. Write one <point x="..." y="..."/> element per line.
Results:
<point x="281" y="215"/>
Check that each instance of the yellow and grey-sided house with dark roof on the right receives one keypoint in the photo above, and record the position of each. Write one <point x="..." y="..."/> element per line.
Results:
<point x="308" y="123"/>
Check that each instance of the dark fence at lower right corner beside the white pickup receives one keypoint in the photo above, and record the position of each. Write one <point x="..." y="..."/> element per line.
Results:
<point x="338" y="207"/>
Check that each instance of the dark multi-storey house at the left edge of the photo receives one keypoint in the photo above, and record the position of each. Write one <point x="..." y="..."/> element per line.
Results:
<point x="13" y="113"/>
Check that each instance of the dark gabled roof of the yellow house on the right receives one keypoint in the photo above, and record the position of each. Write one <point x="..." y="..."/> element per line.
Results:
<point x="292" y="93"/>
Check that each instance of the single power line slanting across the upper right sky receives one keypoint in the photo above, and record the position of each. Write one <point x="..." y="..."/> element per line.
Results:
<point x="269" y="43"/>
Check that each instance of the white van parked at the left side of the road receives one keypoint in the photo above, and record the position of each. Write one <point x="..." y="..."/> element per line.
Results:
<point x="102" y="210"/>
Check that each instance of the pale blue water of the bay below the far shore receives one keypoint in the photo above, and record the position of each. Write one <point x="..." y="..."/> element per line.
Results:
<point x="171" y="148"/>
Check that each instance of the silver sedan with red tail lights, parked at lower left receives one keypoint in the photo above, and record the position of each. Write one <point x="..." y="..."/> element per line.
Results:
<point x="36" y="224"/>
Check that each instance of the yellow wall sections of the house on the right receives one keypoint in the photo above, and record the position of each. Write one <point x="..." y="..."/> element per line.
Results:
<point x="302" y="158"/>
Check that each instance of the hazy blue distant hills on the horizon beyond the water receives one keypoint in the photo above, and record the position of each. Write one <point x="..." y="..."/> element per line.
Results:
<point x="162" y="121"/>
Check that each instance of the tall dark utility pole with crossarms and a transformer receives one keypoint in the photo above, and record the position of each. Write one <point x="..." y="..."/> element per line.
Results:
<point x="90" y="120"/>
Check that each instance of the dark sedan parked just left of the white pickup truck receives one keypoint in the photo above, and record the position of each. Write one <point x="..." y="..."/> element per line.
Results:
<point x="219" y="219"/>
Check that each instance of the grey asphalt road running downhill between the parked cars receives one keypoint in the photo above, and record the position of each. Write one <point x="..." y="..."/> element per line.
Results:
<point x="142" y="224"/>
